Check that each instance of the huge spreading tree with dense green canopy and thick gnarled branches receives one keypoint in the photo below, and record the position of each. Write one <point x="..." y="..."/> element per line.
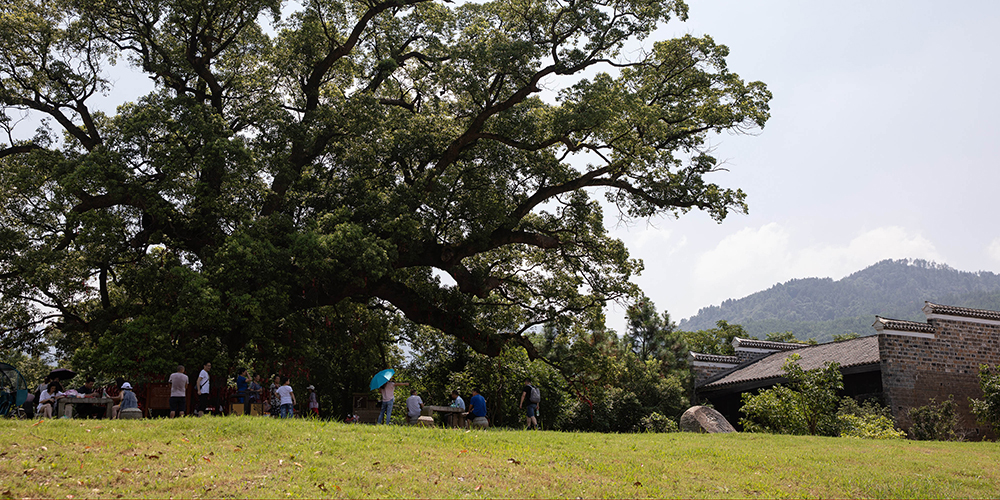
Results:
<point x="424" y="159"/>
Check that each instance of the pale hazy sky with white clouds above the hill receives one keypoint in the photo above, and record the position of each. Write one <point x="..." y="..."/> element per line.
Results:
<point x="883" y="143"/>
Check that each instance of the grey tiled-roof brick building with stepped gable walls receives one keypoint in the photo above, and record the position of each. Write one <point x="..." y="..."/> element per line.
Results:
<point x="904" y="365"/>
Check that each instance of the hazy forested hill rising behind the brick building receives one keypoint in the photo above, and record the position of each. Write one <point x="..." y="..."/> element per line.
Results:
<point x="821" y="307"/>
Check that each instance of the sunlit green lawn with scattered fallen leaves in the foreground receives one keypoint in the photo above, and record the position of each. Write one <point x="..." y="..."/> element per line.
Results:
<point x="254" y="457"/>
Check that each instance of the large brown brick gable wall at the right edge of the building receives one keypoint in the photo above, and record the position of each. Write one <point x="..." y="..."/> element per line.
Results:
<point x="915" y="369"/>
